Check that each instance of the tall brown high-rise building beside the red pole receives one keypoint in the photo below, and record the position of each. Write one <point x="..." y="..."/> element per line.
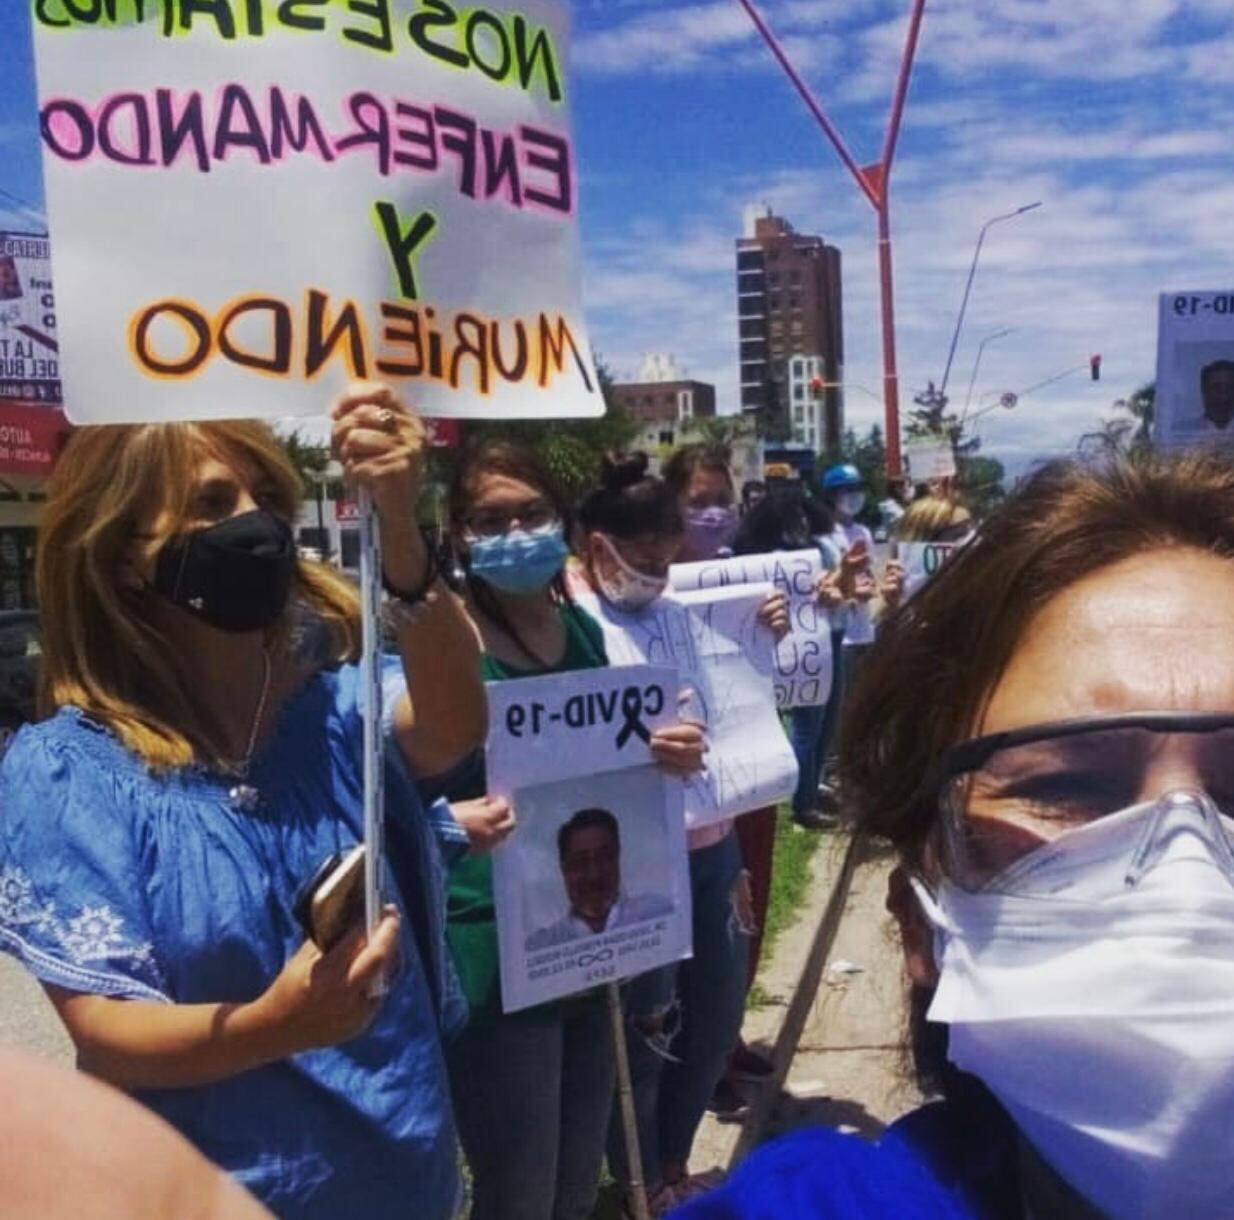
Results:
<point x="789" y="304"/>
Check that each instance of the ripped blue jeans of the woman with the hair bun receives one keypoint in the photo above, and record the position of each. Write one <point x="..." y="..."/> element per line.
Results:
<point x="708" y="995"/>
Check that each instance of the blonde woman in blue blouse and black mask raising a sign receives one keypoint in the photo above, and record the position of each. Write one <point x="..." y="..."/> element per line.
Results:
<point x="193" y="774"/>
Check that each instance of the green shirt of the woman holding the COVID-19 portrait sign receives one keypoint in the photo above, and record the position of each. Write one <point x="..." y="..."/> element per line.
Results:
<point x="472" y="927"/>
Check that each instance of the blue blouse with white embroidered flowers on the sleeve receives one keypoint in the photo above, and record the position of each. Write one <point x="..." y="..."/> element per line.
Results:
<point x="119" y="883"/>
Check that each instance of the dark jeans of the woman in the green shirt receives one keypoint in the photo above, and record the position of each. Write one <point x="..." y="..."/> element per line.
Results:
<point x="532" y="1098"/>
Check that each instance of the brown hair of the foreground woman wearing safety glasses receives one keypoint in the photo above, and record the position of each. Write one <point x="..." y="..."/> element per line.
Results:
<point x="940" y="657"/>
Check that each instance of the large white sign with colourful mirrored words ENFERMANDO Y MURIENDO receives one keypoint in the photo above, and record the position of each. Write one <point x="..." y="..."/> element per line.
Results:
<point x="252" y="204"/>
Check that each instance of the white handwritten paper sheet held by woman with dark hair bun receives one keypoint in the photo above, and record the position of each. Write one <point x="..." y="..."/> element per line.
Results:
<point x="726" y="659"/>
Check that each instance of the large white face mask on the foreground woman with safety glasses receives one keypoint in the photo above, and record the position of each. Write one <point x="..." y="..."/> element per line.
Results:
<point x="1091" y="989"/>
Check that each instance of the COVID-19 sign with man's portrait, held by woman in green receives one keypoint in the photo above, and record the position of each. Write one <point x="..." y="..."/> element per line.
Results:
<point x="594" y="885"/>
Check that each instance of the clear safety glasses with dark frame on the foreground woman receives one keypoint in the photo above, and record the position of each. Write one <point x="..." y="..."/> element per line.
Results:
<point x="1003" y="796"/>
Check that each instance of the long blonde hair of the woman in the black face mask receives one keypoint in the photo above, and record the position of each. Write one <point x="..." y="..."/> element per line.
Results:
<point x="120" y="487"/>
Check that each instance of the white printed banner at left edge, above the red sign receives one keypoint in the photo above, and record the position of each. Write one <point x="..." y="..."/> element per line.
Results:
<point x="30" y="368"/>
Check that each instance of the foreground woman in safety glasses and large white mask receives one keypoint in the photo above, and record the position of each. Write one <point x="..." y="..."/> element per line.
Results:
<point x="1047" y="736"/>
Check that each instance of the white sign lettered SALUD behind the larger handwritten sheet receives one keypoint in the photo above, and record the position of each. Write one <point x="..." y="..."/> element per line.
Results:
<point x="804" y="657"/>
